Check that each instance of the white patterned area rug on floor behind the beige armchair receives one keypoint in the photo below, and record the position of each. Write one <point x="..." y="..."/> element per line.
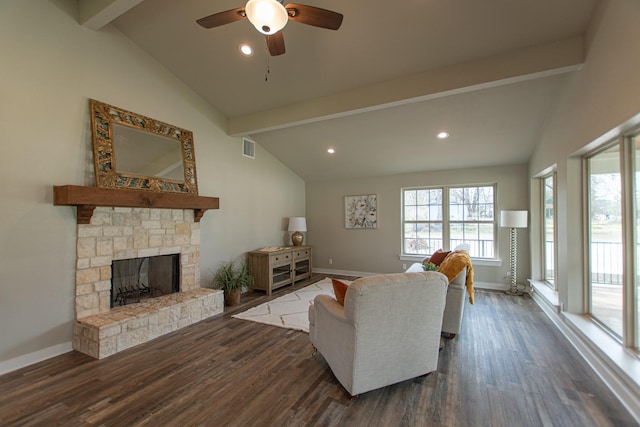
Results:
<point x="289" y="311"/>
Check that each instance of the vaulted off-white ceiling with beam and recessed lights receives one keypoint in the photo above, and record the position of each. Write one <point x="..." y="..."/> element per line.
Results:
<point x="379" y="88"/>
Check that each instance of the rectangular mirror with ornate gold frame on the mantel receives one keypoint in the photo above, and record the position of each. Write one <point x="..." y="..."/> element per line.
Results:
<point x="131" y="151"/>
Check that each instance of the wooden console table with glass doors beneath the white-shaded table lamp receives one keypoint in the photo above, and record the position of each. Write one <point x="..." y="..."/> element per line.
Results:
<point x="275" y="267"/>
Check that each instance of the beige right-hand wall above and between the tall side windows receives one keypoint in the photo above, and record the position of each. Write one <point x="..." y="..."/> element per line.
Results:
<point x="599" y="99"/>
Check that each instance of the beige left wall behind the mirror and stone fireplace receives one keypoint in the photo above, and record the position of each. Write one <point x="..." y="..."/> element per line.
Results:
<point x="51" y="66"/>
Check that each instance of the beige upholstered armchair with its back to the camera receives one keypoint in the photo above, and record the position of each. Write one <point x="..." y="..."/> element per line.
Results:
<point x="388" y="330"/>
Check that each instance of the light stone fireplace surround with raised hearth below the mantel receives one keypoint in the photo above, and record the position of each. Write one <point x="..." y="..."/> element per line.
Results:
<point x="115" y="233"/>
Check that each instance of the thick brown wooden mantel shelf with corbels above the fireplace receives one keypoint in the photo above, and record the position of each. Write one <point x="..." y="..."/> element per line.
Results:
<point x="87" y="198"/>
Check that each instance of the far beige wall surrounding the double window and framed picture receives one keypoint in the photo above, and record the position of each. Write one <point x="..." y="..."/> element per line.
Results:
<point x="377" y="251"/>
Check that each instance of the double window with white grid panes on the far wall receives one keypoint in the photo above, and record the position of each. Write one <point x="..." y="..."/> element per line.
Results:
<point x="444" y="217"/>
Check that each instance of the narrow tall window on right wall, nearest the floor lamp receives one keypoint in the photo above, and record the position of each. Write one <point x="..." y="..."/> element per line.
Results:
<point x="548" y="229"/>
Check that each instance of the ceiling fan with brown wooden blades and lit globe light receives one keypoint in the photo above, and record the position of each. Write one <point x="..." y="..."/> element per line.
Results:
<point x="270" y="16"/>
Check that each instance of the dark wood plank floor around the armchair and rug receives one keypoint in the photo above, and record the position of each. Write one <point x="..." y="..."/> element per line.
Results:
<point x="508" y="367"/>
